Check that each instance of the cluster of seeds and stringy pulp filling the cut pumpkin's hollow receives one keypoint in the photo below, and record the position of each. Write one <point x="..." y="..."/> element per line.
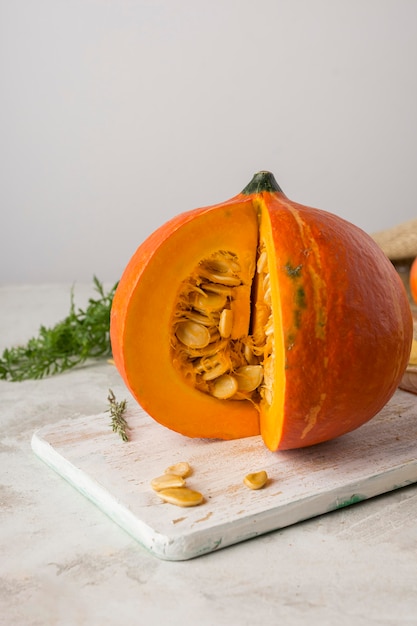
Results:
<point x="218" y="354"/>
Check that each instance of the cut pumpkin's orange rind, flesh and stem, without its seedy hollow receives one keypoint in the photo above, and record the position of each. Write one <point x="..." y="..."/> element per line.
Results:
<point x="341" y="318"/>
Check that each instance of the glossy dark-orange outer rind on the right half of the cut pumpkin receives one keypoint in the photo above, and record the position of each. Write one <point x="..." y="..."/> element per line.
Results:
<point x="346" y="326"/>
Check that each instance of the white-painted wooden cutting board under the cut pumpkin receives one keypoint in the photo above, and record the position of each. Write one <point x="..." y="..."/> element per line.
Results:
<point x="377" y="458"/>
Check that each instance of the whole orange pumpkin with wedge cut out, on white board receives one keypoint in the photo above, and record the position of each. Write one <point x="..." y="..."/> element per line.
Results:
<point x="259" y="315"/>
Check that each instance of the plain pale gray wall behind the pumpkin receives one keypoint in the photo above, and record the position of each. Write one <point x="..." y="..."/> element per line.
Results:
<point x="115" y="115"/>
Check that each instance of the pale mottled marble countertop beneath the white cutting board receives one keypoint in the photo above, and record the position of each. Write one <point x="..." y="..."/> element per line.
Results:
<point x="62" y="561"/>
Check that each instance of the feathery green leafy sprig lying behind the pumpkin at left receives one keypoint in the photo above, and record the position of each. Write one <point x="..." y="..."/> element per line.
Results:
<point x="82" y="335"/>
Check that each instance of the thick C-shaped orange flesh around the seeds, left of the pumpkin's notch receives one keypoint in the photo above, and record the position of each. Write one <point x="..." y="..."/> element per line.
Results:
<point x="142" y="312"/>
